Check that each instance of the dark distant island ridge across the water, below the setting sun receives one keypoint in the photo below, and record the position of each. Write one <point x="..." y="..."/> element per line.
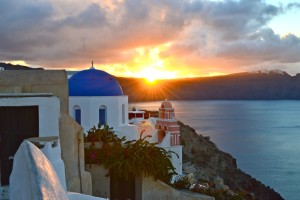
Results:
<point x="260" y="85"/>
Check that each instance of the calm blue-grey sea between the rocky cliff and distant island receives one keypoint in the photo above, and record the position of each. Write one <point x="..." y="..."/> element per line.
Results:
<point x="264" y="136"/>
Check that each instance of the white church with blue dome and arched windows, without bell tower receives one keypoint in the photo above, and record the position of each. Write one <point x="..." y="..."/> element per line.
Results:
<point x="95" y="97"/>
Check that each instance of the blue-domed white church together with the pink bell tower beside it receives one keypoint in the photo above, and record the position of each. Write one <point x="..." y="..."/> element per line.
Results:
<point x="95" y="97"/>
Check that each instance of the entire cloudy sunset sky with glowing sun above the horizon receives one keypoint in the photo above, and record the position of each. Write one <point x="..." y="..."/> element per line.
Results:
<point x="157" y="38"/>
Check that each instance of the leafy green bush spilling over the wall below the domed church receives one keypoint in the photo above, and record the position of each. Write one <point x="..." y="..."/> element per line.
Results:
<point x="128" y="158"/>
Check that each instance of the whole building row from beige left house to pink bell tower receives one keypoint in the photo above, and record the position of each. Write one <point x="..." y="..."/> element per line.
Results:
<point x="44" y="103"/>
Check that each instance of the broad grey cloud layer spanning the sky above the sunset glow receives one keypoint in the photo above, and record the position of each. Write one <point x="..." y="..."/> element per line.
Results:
<point x="61" y="34"/>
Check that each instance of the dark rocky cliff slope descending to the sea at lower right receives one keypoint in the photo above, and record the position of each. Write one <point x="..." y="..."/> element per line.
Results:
<point x="206" y="161"/>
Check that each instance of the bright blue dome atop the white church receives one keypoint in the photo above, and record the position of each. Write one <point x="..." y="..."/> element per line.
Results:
<point x="93" y="82"/>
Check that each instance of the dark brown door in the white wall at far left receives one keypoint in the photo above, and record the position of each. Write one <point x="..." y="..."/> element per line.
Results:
<point x="16" y="124"/>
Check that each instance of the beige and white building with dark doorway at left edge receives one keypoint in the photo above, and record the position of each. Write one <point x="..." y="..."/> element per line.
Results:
<point x="34" y="103"/>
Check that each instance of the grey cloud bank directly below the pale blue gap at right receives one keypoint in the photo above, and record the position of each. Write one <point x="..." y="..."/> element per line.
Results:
<point x="263" y="46"/>
